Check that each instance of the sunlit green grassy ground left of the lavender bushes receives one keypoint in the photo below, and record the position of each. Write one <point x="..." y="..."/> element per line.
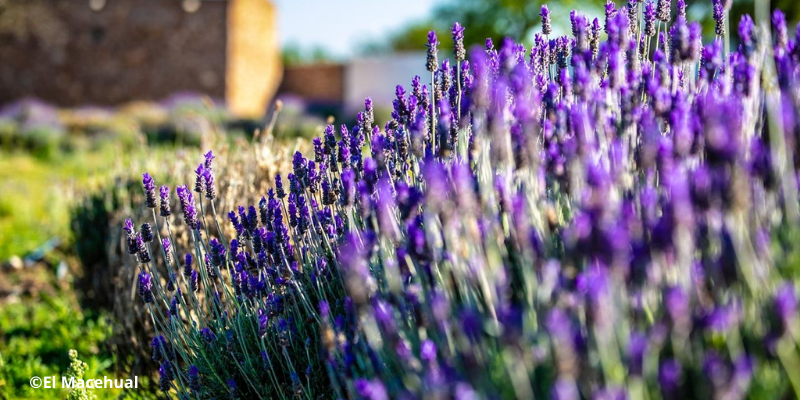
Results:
<point x="40" y="318"/>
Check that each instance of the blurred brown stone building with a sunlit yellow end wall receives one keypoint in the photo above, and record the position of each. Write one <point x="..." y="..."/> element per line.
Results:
<point x="107" y="52"/>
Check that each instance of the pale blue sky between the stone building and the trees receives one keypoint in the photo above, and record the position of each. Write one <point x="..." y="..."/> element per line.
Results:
<point x="340" y="26"/>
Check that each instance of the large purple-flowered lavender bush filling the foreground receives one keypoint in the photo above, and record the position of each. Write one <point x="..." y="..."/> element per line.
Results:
<point x="583" y="219"/>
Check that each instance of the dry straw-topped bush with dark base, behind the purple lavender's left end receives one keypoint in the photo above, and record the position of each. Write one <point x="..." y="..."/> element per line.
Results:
<point x="98" y="221"/>
